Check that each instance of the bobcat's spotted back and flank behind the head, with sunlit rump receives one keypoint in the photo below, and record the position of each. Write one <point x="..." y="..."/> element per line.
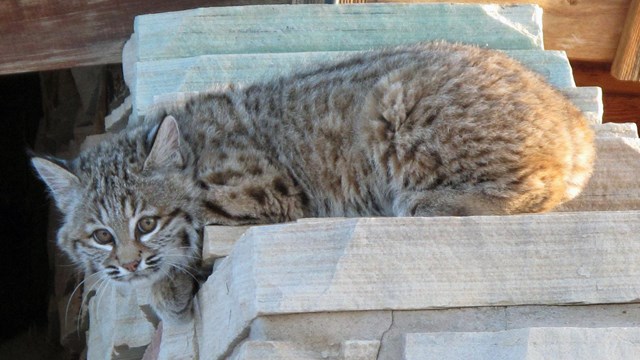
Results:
<point x="429" y="129"/>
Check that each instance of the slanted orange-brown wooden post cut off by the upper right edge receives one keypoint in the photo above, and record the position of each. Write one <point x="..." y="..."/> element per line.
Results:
<point x="626" y="65"/>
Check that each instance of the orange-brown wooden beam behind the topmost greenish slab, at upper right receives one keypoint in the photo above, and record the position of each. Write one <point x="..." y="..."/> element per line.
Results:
<point x="586" y="29"/>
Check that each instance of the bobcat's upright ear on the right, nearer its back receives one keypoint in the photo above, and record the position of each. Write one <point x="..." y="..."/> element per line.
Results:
<point x="165" y="151"/>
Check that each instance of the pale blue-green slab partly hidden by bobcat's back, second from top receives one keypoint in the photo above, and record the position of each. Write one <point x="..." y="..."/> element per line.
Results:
<point x="153" y="78"/>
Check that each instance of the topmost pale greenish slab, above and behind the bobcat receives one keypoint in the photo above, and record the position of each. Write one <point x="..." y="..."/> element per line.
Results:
<point x="286" y="28"/>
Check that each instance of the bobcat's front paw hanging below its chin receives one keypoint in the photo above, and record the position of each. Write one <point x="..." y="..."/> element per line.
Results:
<point x="173" y="297"/>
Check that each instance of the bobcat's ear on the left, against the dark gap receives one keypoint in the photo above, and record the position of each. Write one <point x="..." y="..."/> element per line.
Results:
<point x="62" y="184"/>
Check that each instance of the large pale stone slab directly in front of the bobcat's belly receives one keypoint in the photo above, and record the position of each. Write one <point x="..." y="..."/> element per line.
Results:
<point x="420" y="263"/>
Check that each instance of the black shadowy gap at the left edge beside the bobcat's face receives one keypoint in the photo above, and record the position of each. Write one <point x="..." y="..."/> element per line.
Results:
<point x="24" y="278"/>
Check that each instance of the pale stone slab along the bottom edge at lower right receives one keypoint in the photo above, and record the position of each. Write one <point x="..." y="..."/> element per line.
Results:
<point x="527" y="343"/>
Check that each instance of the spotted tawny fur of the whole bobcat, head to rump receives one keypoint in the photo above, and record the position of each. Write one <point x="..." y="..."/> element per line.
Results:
<point x="430" y="129"/>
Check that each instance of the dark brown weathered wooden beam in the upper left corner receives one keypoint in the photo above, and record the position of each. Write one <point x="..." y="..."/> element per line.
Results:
<point x="52" y="34"/>
